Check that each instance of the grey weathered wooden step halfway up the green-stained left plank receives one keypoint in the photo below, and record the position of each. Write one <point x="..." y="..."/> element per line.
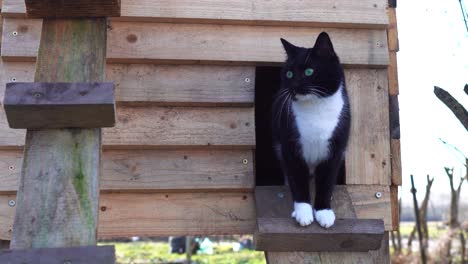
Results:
<point x="59" y="105"/>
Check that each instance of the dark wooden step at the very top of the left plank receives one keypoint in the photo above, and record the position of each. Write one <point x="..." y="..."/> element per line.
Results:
<point x="72" y="9"/>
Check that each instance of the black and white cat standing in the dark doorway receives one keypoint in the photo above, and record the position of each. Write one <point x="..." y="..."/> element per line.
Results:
<point x="311" y="123"/>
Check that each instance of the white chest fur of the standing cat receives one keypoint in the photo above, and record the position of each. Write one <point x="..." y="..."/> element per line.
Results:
<point x="316" y="119"/>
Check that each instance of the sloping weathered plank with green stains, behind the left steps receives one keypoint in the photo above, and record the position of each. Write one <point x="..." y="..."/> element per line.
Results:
<point x="58" y="193"/>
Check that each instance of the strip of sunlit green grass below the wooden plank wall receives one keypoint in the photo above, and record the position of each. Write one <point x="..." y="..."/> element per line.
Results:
<point x="159" y="252"/>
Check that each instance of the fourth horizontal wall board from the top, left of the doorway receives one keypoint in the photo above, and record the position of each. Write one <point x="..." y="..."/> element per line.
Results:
<point x="155" y="127"/>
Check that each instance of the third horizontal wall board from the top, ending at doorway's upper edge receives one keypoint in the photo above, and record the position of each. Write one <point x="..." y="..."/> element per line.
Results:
<point x="163" y="84"/>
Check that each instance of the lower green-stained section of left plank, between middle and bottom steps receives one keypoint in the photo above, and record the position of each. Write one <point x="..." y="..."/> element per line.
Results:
<point x="58" y="190"/>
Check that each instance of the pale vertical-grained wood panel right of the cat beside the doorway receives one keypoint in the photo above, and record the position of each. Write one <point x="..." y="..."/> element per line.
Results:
<point x="368" y="153"/>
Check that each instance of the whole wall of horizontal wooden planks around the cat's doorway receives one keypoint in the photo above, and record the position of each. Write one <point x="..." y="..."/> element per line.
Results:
<point x="181" y="155"/>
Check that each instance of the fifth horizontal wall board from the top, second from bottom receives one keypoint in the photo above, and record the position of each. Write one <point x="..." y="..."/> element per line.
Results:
<point x="156" y="170"/>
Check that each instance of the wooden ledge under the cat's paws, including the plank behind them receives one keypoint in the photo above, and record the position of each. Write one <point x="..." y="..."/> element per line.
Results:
<point x="277" y="231"/>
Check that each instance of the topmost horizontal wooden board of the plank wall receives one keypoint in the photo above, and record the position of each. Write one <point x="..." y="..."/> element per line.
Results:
<point x="339" y="13"/>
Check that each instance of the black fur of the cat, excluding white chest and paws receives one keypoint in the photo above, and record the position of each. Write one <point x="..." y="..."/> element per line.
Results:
<point x="327" y="77"/>
